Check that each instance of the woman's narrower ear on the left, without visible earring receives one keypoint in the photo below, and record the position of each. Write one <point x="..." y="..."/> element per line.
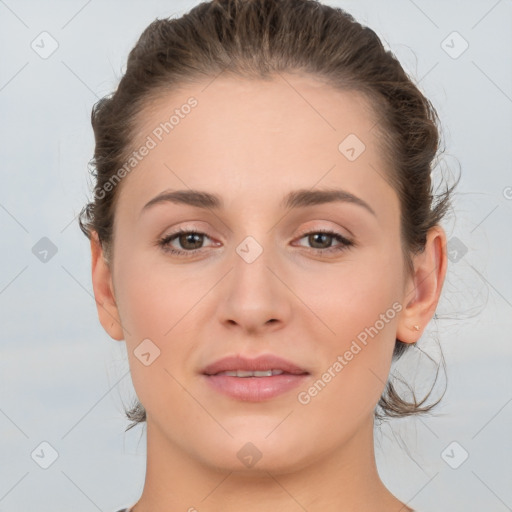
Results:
<point x="104" y="291"/>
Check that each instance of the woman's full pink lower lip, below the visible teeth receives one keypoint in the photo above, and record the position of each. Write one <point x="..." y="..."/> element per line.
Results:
<point x="255" y="389"/>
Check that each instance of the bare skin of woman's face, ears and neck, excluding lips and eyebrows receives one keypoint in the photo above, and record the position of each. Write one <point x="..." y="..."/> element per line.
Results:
<point x="252" y="142"/>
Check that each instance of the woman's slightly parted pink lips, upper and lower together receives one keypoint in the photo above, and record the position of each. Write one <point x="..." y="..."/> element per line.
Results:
<point x="254" y="389"/>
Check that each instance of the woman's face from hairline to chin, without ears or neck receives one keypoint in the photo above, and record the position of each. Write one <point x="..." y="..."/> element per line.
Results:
<point x="258" y="278"/>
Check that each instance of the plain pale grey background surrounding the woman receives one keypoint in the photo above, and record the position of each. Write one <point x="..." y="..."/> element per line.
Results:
<point x="64" y="381"/>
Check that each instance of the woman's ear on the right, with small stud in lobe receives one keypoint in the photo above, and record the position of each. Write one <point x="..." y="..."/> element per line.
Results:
<point x="423" y="288"/>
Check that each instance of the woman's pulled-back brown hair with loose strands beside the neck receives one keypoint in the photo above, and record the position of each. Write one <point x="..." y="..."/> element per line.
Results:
<point x="257" y="39"/>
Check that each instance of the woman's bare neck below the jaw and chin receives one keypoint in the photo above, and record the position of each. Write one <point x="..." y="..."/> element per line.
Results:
<point x="344" y="480"/>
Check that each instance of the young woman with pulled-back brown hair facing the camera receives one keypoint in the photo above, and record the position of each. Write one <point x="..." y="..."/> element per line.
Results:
<point x="265" y="240"/>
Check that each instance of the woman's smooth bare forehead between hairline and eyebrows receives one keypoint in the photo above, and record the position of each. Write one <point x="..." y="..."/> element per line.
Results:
<point x="257" y="136"/>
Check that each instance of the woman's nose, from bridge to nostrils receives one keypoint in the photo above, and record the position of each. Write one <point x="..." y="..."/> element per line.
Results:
<point x="255" y="295"/>
